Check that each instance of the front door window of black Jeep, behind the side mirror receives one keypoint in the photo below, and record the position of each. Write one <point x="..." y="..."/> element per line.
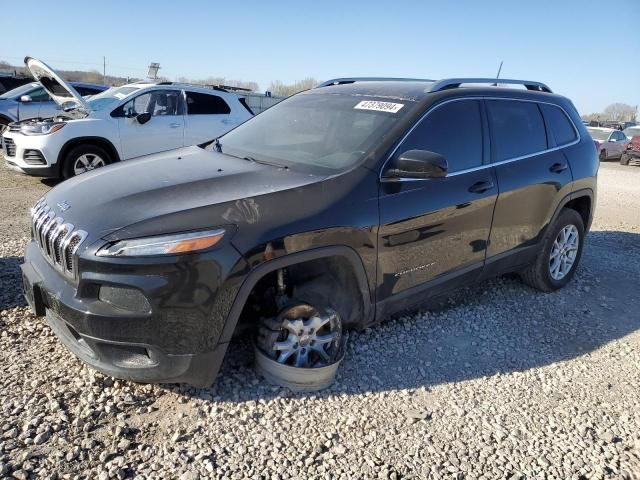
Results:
<point x="453" y="130"/>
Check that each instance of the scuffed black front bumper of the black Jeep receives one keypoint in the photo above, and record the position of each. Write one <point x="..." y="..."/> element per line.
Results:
<point x="167" y="344"/>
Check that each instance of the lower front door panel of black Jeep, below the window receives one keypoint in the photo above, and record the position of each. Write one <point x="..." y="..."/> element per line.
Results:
<point x="432" y="227"/>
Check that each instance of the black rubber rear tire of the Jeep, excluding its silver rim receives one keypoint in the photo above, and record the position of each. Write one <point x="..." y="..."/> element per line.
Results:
<point x="538" y="274"/>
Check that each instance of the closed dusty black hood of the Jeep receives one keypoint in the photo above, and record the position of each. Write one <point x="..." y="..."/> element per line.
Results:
<point x="178" y="190"/>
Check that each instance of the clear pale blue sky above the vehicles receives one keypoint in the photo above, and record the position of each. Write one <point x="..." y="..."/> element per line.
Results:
<point x="586" y="50"/>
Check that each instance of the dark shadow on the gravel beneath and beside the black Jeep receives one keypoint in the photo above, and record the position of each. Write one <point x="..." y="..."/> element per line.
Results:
<point x="500" y="326"/>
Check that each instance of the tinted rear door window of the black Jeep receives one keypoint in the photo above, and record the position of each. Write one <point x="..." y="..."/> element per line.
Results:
<point x="517" y="129"/>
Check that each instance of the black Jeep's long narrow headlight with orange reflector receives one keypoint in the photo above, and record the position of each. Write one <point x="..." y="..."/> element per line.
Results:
<point x="163" y="245"/>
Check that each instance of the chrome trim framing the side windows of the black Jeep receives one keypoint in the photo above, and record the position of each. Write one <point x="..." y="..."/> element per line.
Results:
<point x="488" y="165"/>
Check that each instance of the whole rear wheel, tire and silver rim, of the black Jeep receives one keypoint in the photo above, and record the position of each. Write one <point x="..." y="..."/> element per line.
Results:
<point x="560" y="254"/>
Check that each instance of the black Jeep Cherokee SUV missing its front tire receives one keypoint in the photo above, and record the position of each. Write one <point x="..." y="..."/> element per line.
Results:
<point x="333" y="209"/>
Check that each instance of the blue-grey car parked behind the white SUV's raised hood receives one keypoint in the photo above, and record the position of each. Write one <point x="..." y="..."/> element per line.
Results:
<point x="32" y="101"/>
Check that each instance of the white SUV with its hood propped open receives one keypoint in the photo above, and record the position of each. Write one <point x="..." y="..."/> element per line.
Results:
<point x="118" y="124"/>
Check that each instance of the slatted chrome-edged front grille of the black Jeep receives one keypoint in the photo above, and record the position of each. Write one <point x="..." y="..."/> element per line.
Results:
<point x="58" y="241"/>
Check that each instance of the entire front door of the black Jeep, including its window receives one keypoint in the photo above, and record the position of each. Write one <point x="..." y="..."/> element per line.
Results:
<point x="437" y="227"/>
